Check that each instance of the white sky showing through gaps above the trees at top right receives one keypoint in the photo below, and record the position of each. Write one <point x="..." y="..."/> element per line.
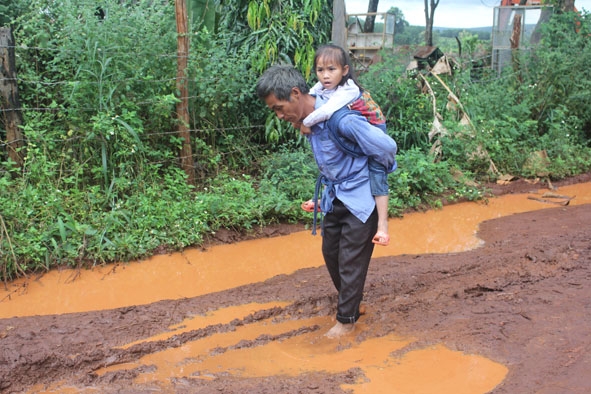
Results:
<point x="449" y="13"/>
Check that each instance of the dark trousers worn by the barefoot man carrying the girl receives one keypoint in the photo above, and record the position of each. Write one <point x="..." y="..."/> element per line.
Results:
<point x="347" y="249"/>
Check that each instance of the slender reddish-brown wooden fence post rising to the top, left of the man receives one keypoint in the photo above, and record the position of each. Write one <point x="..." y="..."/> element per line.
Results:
<point x="182" y="82"/>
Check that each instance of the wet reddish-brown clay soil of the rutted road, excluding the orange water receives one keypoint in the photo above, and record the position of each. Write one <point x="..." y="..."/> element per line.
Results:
<point x="523" y="299"/>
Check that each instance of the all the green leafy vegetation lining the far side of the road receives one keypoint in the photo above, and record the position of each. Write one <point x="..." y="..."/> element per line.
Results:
<point x="101" y="179"/>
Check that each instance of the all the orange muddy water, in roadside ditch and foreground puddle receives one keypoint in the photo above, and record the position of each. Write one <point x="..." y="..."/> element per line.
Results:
<point x="390" y="364"/>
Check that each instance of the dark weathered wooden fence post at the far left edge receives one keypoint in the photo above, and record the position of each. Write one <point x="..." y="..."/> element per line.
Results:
<point x="10" y="104"/>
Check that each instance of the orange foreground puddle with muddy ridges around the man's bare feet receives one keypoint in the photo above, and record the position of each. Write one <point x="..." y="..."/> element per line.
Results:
<point x="431" y="370"/>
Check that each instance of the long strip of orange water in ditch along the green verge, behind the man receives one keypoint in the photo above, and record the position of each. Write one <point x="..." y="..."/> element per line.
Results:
<point x="195" y="272"/>
